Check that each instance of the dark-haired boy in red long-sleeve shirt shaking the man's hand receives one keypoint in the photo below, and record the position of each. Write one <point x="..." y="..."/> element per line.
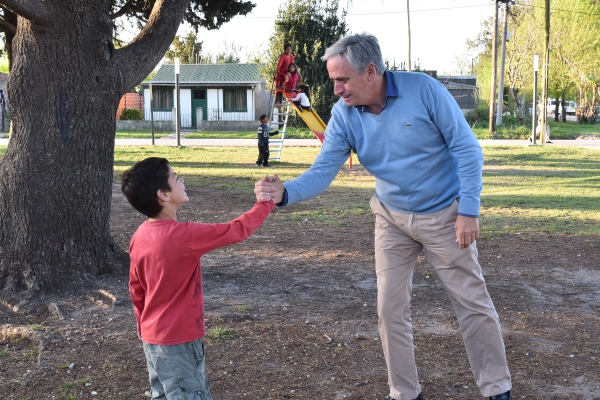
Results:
<point x="165" y="281"/>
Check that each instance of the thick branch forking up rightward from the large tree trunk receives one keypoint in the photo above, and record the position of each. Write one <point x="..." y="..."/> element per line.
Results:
<point x="136" y="60"/>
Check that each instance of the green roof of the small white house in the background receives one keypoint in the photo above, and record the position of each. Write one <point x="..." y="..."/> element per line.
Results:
<point x="208" y="73"/>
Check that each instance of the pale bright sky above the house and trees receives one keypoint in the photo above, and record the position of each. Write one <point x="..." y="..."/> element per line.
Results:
<point x="439" y="29"/>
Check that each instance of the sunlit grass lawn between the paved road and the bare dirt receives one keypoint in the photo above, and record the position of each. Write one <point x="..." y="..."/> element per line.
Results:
<point x="526" y="189"/>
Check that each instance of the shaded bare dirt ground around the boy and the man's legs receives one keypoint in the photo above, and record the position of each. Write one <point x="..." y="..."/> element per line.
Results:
<point x="299" y="302"/>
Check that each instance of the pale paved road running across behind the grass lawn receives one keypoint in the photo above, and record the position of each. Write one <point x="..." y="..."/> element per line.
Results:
<point x="590" y="144"/>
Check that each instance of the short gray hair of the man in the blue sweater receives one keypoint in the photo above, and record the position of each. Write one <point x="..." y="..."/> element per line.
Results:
<point x="360" y="50"/>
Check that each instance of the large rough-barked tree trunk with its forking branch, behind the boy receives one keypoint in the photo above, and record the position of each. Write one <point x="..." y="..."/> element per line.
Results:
<point x="56" y="177"/>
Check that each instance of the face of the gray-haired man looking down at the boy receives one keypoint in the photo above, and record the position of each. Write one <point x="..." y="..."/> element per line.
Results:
<point x="353" y="88"/>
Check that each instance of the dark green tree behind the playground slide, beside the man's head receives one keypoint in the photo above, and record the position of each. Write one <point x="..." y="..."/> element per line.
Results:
<point x="310" y="26"/>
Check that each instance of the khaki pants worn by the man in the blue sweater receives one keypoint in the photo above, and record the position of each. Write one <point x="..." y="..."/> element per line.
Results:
<point x="399" y="238"/>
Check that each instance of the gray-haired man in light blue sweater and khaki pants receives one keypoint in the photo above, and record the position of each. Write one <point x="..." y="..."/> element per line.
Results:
<point x="409" y="133"/>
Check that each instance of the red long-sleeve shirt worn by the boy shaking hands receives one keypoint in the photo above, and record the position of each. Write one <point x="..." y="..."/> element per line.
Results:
<point x="165" y="280"/>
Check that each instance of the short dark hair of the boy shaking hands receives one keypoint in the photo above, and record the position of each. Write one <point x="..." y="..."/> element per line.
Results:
<point x="141" y="182"/>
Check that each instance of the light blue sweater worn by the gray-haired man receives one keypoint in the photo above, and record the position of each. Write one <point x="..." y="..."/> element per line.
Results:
<point x="420" y="149"/>
